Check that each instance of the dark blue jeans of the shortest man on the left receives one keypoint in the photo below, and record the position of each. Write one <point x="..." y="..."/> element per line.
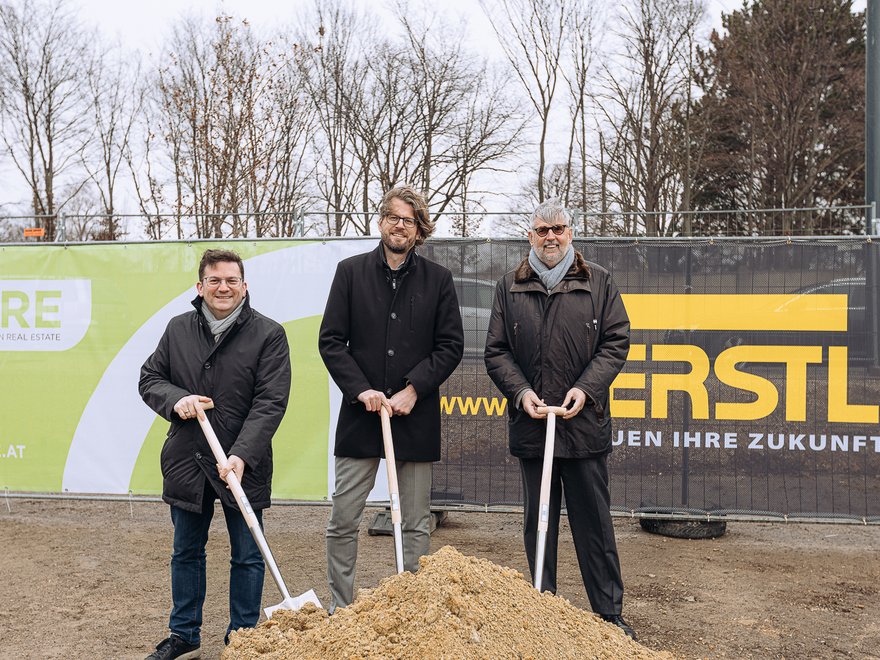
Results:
<point x="246" y="570"/>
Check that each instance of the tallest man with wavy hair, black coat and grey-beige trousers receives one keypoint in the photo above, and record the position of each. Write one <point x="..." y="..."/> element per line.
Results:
<point x="390" y="336"/>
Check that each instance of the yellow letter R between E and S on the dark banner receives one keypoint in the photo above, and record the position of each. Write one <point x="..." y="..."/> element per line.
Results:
<point x="692" y="383"/>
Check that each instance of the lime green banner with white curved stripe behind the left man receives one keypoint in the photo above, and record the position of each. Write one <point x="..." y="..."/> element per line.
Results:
<point x="77" y="322"/>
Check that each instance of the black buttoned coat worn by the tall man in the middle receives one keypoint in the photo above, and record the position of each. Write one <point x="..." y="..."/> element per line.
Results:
<point x="383" y="337"/>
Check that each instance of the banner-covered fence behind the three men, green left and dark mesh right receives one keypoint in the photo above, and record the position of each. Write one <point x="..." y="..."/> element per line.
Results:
<point x="751" y="390"/>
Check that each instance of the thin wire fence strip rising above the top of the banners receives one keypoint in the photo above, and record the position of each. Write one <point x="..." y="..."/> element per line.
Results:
<point x="301" y="223"/>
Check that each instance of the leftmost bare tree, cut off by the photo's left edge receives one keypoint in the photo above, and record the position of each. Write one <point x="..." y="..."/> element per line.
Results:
<point x="43" y="55"/>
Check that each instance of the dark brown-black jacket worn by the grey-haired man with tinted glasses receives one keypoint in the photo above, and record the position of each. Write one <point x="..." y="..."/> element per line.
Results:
<point x="577" y="335"/>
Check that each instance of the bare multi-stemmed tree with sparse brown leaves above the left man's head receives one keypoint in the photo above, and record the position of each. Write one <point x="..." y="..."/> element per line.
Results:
<point x="229" y="127"/>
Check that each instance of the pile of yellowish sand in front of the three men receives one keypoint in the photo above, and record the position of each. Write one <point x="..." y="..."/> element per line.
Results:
<point x="454" y="607"/>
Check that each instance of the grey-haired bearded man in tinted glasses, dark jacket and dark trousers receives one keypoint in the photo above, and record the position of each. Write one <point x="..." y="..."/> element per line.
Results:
<point x="558" y="336"/>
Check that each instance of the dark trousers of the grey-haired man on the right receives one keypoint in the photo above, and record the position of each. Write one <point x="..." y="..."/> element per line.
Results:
<point x="585" y="484"/>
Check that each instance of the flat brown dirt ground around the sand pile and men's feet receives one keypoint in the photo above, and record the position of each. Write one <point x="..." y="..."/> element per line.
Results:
<point x="86" y="579"/>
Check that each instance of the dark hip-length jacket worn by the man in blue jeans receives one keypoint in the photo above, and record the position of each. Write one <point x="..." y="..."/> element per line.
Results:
<point x="247" y="374"/>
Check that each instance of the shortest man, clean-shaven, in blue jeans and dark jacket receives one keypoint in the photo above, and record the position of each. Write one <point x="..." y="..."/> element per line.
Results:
<point x="225" y="352"/>
